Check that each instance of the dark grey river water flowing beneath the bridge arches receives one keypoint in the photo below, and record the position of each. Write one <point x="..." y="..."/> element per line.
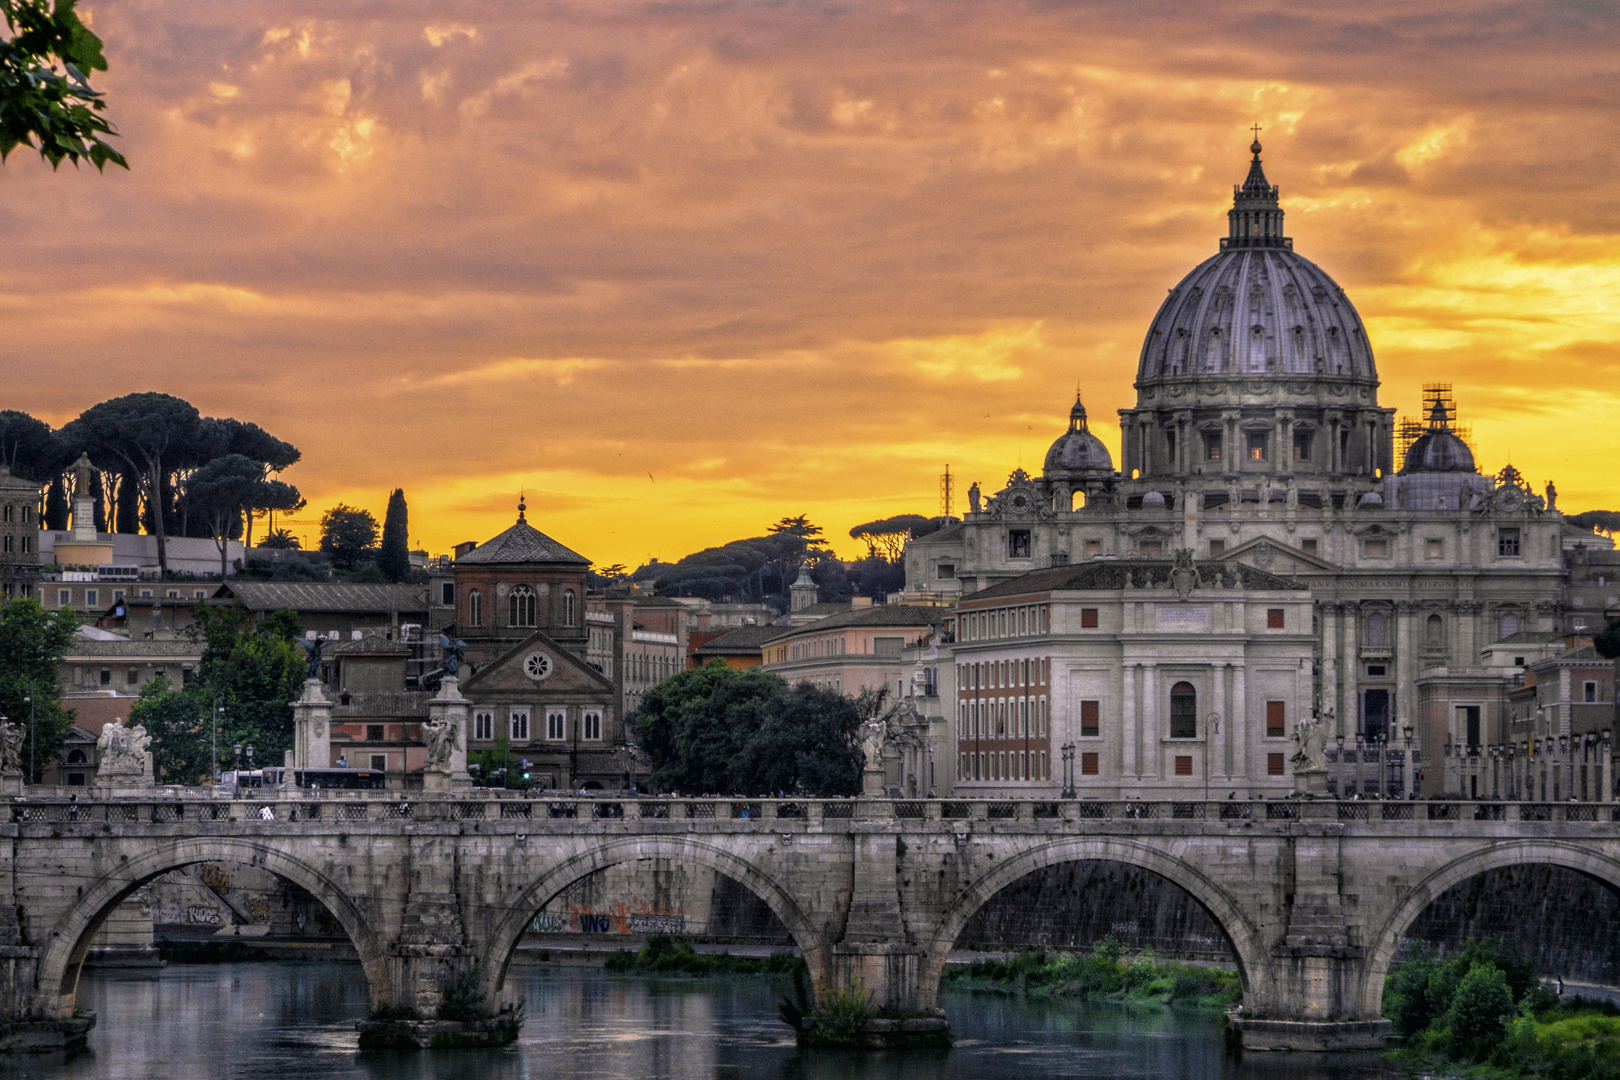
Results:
<point x="291" y="1021"/>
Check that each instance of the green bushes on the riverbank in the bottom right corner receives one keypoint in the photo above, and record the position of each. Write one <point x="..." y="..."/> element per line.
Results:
<point x="1486" y="1013"/>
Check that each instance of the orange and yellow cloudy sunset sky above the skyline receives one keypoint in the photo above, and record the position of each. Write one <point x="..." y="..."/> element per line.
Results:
<point x="680" y="270"/>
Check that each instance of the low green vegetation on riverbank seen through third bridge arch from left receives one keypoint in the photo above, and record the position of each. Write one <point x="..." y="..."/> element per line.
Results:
<point x="1104" y="976"/>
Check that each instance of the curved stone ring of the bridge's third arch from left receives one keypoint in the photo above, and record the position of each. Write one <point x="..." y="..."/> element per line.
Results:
<point x="1243" y="935"/>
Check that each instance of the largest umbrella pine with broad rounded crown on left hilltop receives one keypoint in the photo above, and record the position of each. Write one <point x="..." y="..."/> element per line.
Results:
<point x="147" y="435"/>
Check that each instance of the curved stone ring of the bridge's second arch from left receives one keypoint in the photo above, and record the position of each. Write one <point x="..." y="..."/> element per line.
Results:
<point x="514" y="917"/>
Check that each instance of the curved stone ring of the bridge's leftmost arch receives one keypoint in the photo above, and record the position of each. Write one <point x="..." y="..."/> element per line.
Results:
<point x="69" y="942"/>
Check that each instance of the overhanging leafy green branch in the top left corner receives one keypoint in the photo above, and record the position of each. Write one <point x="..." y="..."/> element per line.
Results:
<point x="46" y="100"/>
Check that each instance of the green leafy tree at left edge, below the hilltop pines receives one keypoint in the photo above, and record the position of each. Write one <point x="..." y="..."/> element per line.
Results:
<point x="33" y="644"/>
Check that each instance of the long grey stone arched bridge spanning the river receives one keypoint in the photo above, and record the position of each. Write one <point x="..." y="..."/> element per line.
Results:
<point x="1313" y="896"/>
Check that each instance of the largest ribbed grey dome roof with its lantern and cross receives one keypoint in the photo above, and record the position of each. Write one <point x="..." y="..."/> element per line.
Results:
<point x="1256" y="308"/>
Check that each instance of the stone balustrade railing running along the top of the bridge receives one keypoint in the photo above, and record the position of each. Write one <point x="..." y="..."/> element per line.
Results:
<point x="522" y="812"/>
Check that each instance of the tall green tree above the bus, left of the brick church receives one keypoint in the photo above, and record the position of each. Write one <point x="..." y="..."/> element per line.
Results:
<point x="257" y="671"/>
